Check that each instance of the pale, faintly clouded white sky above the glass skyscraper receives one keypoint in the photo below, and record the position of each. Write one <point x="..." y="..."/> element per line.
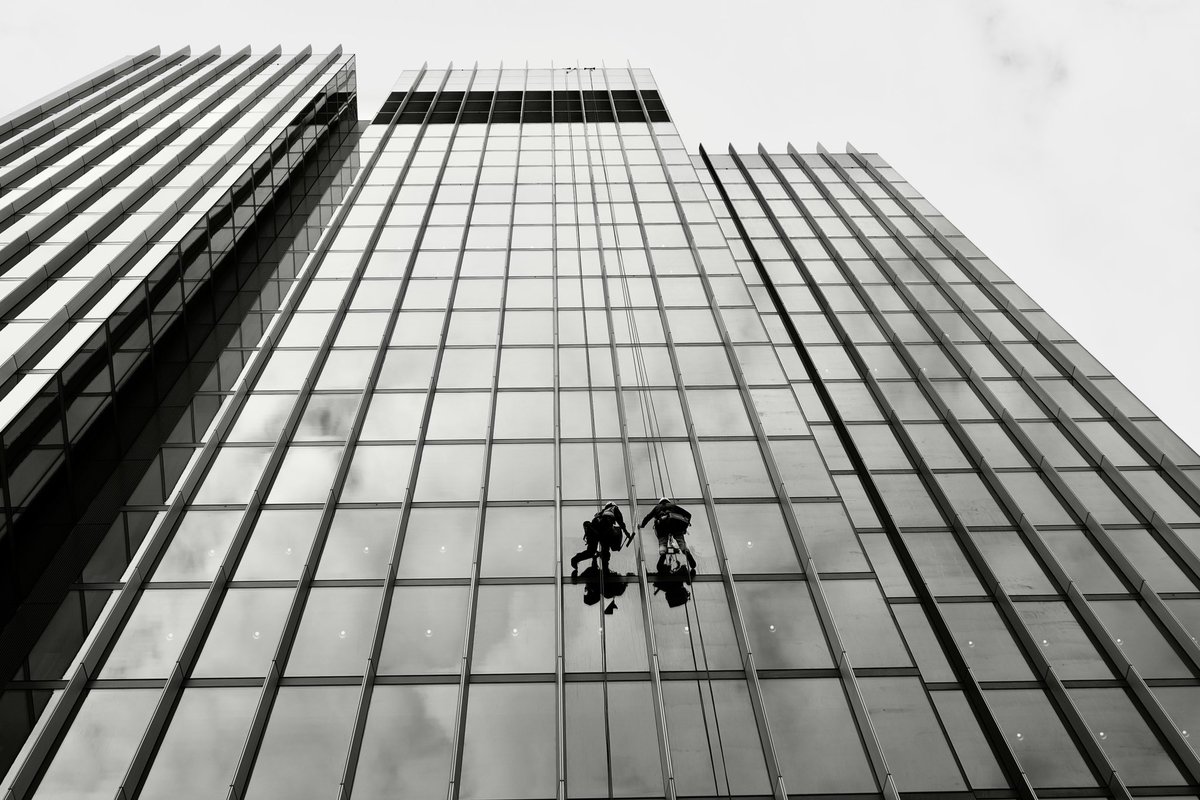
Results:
<point x="1061" y="137"/>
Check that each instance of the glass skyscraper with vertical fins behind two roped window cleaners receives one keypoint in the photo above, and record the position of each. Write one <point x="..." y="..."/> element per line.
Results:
<point x="939" y="549"/>
